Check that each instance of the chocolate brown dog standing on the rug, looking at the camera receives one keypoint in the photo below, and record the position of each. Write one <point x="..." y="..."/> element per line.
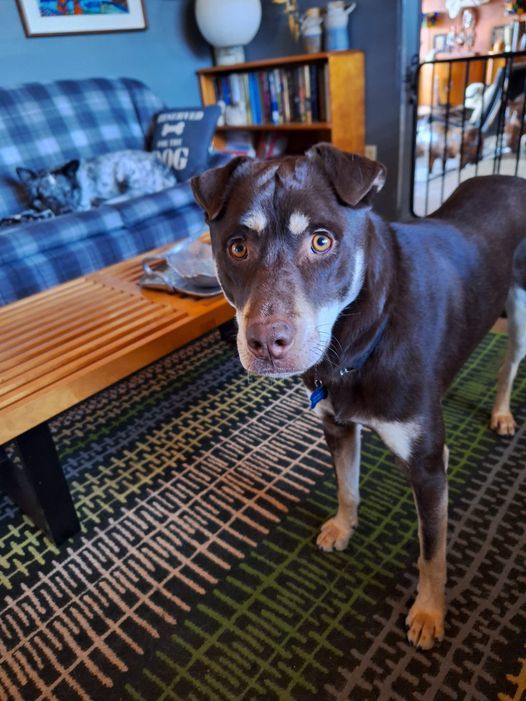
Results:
<point x="377" y="318"/>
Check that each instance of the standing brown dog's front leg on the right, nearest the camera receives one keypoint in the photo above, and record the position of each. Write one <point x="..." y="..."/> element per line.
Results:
<point x="428" y="478"/>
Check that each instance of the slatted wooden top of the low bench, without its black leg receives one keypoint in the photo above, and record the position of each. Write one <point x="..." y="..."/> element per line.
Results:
<point x="67" y="343"/>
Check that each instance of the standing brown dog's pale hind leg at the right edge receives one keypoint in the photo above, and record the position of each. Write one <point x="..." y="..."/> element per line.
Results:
<point x="502" y="420"/>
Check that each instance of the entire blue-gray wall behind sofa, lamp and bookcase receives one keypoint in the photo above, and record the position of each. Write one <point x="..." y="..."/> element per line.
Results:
<point x="167" y="55"/>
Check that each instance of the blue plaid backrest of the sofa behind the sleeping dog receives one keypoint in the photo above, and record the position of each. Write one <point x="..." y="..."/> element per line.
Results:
<point x="45" y="125"/>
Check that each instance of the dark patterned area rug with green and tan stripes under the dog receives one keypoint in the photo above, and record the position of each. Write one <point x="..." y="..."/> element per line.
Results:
<point x="196" y="576"/>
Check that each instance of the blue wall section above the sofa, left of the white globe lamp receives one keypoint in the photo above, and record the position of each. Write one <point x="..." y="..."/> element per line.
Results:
<point x="165" y="56"/>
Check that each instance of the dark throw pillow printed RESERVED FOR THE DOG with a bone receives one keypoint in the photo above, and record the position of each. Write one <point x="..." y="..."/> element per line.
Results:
<point x="182" y="138"/>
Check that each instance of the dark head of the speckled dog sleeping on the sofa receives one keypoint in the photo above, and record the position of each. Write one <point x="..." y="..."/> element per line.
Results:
<point x="56" y="189"/>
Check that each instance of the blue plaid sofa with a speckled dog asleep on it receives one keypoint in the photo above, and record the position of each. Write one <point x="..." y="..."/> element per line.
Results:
<point x="44" y="125"/>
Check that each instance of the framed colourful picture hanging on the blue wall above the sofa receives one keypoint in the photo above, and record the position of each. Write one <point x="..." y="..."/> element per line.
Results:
<point x="42" y="18"/>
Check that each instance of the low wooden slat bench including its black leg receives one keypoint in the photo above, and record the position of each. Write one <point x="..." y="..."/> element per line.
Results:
<point x="64" y="345"/>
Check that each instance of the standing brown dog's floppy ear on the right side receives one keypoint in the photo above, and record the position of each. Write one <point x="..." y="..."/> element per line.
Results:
<point x="353" y="177"/>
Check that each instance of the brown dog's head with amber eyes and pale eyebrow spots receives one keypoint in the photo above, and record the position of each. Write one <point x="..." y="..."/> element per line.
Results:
<point x="289" y="240"/>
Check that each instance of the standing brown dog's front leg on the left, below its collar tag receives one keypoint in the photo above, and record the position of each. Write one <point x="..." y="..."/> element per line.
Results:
<point x="344" y="445"/>
